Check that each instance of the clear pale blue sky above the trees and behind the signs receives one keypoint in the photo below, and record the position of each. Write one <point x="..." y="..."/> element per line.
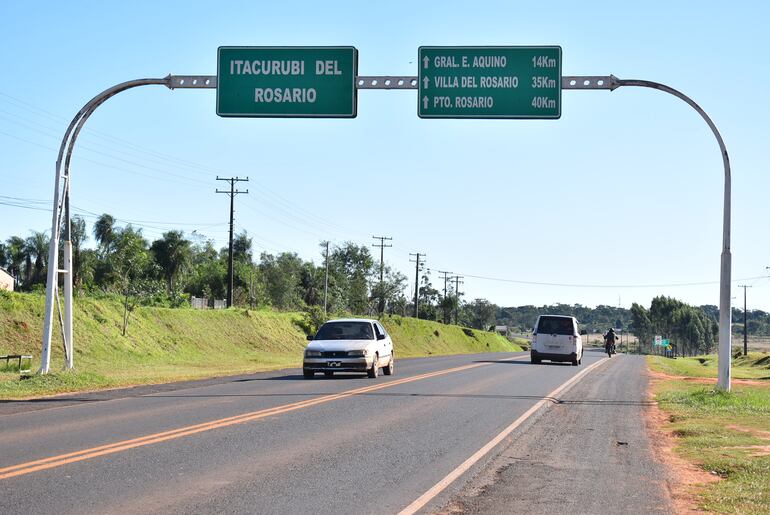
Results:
<point x="624" y="191"/>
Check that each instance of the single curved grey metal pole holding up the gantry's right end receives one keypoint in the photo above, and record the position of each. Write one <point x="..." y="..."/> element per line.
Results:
<point x="725" y="311"/>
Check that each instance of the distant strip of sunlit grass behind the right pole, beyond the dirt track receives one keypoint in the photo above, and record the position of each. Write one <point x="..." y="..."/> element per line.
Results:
<point x="756" y="365"/>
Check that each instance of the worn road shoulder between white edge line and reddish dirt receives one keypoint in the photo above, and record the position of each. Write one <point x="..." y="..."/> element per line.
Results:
<point x="603" y="463"/>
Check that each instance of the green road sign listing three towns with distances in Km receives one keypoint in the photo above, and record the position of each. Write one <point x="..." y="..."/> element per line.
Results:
<point x="490" y="82"/>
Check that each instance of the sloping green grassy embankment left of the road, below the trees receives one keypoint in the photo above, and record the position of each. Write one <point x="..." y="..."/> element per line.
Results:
<point x="164" y="345"/>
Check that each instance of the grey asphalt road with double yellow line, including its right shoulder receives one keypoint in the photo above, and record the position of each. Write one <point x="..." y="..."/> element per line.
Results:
<point x="276" y="443"/>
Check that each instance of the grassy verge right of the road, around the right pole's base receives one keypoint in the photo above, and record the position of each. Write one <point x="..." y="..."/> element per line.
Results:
<point x="727" y="434"/>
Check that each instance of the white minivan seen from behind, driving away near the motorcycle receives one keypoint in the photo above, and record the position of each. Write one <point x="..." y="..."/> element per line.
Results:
<point x="556" y="338"/>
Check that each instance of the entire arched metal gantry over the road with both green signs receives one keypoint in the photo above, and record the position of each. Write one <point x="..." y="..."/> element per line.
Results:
<point x="453" y="82"/>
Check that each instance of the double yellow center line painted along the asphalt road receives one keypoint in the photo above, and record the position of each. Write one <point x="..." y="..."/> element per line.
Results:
<point x="123" y="445"/>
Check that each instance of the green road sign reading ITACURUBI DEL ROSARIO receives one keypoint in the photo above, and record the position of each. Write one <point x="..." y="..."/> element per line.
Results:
<point x="313" y="82"/>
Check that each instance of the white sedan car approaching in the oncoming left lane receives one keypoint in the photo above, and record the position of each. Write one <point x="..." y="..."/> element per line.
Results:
<point x="349" y="345"/>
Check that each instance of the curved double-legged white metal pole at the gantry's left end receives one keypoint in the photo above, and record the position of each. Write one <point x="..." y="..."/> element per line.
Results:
<point x="53" y="251"/>
